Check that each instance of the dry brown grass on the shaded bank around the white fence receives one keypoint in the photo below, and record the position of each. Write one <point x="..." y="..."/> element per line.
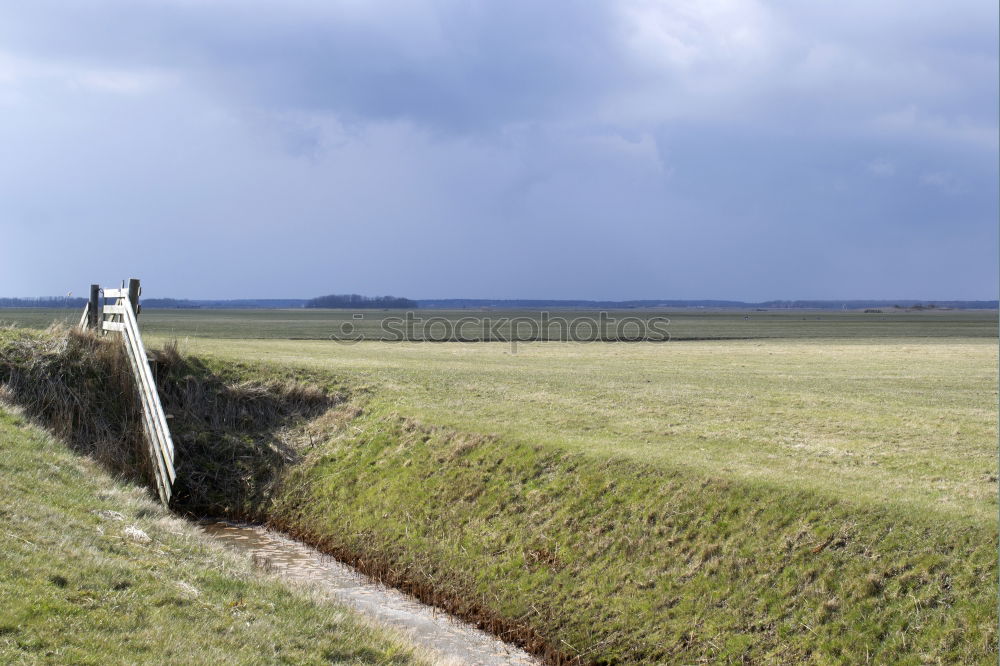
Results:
<point x="232" y="435"/>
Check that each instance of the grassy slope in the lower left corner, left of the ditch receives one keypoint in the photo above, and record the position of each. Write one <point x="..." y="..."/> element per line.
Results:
<point x="75" y="587"/>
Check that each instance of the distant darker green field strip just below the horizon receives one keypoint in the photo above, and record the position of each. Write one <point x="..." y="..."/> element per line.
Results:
<point x="684" y="324"/>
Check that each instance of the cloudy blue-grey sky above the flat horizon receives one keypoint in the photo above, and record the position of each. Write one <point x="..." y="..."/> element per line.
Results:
<point x="593" y="149"/>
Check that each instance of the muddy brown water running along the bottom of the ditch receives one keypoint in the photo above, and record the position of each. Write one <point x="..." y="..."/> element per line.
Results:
<point x="453" y="640"/>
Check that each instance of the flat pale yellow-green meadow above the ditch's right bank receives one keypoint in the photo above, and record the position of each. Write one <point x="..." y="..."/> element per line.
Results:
<point x="905" y="422"/>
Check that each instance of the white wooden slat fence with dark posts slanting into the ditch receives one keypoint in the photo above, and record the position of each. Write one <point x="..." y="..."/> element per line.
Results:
<point x="116" y="310"/>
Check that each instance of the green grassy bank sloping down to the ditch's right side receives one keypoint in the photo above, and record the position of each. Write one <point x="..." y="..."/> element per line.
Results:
<point x="622" y="562"/>
